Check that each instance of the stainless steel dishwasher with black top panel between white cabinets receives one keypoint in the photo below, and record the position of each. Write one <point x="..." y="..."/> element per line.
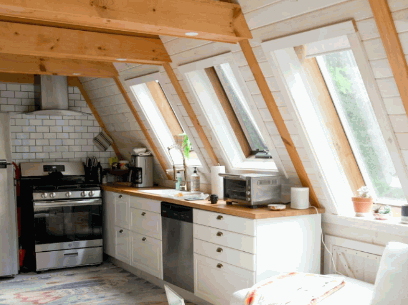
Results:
<point x="178" y="251"/>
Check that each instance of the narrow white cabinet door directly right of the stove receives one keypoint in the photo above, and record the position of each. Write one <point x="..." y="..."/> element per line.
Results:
<point x="109" y="243"/>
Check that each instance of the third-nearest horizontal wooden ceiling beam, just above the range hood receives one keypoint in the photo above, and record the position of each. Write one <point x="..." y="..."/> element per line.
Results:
<point x="22" y="64"/>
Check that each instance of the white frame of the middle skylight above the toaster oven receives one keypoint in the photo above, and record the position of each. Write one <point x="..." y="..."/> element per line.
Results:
<point x="236" y="160"/>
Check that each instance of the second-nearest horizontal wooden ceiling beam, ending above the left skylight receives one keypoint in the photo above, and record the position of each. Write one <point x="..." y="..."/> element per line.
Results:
<point x="51" y="42"/>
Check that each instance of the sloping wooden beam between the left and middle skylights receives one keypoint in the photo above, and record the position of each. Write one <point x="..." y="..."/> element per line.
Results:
<point x="191" y="114"/>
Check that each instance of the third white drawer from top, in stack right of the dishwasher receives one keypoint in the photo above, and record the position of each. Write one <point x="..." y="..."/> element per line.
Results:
<point x="224" y="254"/>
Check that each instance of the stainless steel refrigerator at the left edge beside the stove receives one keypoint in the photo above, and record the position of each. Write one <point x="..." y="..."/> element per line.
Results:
<point x="8" y="205"/>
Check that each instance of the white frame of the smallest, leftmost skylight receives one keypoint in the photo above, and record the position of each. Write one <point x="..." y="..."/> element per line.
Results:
<point x="162" y="80"/>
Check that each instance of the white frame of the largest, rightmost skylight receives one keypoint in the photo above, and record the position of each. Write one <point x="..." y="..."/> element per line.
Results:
<point x="346" y="28"/>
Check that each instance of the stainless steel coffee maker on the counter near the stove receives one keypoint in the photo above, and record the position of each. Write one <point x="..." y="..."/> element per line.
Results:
<point x="141" y="171"/>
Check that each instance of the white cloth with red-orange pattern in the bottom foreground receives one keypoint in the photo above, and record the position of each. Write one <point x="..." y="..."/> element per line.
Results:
<point x="294" y="289"/>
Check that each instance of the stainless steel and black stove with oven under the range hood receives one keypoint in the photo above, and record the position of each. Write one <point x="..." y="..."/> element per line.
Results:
<point x="66" y="215"/>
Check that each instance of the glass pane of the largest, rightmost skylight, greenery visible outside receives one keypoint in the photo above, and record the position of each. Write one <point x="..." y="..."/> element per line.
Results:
<point x="354" y="108"/>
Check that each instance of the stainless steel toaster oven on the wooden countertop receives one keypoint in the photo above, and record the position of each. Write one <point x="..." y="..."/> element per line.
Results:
<point x="252" y="189"/>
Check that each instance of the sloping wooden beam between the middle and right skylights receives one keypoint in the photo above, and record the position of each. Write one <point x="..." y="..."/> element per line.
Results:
<point x="277" y="118"/>
